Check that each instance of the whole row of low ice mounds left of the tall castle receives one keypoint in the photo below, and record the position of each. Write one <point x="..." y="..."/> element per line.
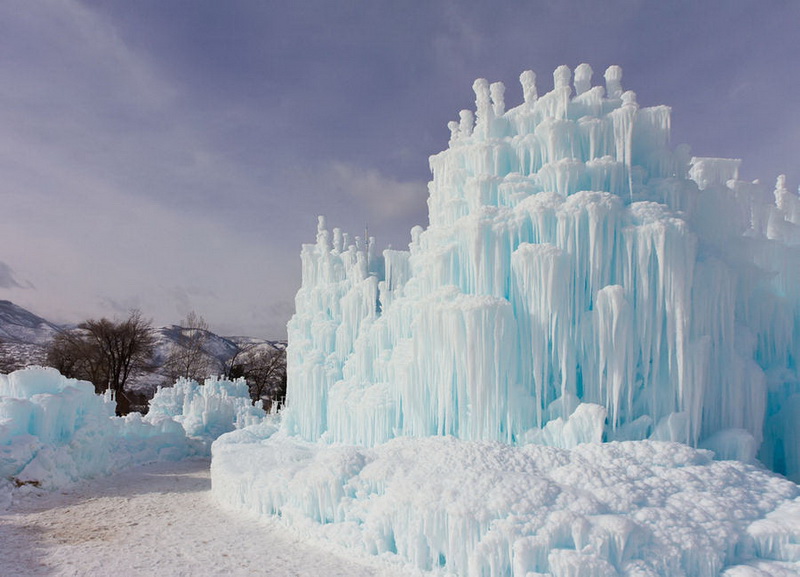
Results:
<point x="55" y="431"/>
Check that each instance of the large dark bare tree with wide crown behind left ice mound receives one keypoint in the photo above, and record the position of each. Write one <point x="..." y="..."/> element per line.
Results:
<point x="107" y="353"/>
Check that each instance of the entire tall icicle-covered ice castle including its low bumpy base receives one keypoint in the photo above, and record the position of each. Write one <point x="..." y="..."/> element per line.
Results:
<point x="579" y="368"/>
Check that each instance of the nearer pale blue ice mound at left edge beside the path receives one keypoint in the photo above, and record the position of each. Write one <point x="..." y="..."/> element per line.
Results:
<point x="55" y="431"/>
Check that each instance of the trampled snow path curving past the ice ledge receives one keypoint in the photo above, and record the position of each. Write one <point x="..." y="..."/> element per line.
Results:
<point x="159" y="519"/>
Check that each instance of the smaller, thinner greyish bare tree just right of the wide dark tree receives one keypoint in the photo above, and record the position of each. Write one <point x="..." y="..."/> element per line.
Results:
<point x="187" y="357"/>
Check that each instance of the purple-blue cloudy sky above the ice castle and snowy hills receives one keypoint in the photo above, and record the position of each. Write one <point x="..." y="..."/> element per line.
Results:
<point x="173" y="155"/>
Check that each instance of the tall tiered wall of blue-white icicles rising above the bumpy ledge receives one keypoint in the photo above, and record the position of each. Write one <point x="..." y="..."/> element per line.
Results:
<point x="580" y="279"/>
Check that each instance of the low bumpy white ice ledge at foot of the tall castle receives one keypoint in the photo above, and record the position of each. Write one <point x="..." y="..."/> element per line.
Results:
<point x="488" y="509"/>
